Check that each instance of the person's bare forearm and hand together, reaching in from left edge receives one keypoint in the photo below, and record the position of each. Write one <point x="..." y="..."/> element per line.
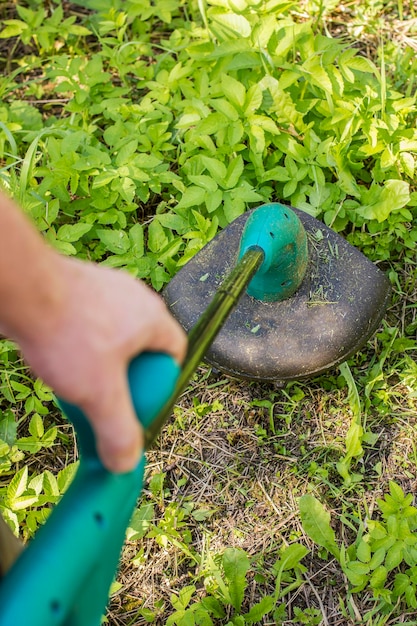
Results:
<point x="78" y="325"/>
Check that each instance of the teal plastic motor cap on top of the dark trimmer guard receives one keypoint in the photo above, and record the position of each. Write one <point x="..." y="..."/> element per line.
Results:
<point x="278" y="231"/>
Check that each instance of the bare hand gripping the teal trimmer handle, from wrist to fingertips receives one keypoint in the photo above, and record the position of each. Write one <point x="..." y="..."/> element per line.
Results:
<point x="105" y="319"/>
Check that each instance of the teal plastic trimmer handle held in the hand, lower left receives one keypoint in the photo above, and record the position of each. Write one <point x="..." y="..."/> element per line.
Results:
<point x="63" y="577"/>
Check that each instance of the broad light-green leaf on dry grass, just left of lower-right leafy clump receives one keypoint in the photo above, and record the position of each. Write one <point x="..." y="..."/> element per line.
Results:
<point x="316" y="523"/>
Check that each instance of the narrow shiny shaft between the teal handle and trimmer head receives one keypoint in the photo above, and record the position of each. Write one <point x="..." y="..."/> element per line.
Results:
<point x="205" y="330"/>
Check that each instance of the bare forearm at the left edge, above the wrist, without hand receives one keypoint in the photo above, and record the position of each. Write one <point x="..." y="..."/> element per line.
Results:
<point x="29" y="275"/>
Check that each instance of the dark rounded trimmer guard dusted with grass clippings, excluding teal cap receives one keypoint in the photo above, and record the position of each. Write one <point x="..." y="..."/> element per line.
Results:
<point x="337" y="307"/>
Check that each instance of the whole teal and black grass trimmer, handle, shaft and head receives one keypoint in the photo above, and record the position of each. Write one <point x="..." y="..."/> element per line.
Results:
<point x="280" y="256"/>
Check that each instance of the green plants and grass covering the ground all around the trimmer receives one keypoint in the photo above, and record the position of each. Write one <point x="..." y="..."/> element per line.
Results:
<point x="131" y="133"/>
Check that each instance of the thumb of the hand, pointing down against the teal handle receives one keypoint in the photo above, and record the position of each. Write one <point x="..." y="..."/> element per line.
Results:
<point x="118" y="432"/>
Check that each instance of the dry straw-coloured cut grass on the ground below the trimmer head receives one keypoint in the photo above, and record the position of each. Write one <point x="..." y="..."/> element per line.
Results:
<point x="249" y="484"/>
